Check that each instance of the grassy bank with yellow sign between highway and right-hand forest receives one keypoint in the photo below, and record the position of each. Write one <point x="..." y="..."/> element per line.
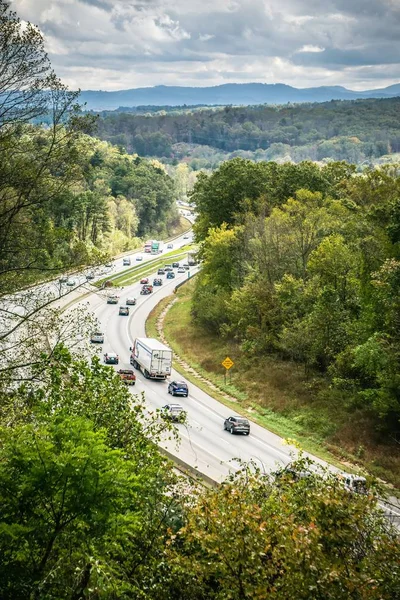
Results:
<point x="275" y="394"/>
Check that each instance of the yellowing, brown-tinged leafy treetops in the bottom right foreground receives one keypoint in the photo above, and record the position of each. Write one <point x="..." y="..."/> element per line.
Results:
<point x="252" y="538"/>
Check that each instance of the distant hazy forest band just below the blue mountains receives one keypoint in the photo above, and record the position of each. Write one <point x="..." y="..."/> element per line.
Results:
<point x="355" y="131"/>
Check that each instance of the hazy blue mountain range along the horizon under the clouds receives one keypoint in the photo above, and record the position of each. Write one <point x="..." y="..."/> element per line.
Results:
<point x="230" y="93"/>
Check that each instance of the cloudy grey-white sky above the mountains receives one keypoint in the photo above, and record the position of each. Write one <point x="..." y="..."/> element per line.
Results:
<point x="123" y="44"/>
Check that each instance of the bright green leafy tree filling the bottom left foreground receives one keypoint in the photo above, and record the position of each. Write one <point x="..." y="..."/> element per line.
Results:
<point x="87" y="498"/>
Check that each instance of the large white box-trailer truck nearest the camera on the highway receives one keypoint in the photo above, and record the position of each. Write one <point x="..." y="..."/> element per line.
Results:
<point x="151" y="357"/>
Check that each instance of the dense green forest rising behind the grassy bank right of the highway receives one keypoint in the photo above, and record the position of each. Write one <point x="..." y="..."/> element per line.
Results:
<point x="303" y="262"/>
